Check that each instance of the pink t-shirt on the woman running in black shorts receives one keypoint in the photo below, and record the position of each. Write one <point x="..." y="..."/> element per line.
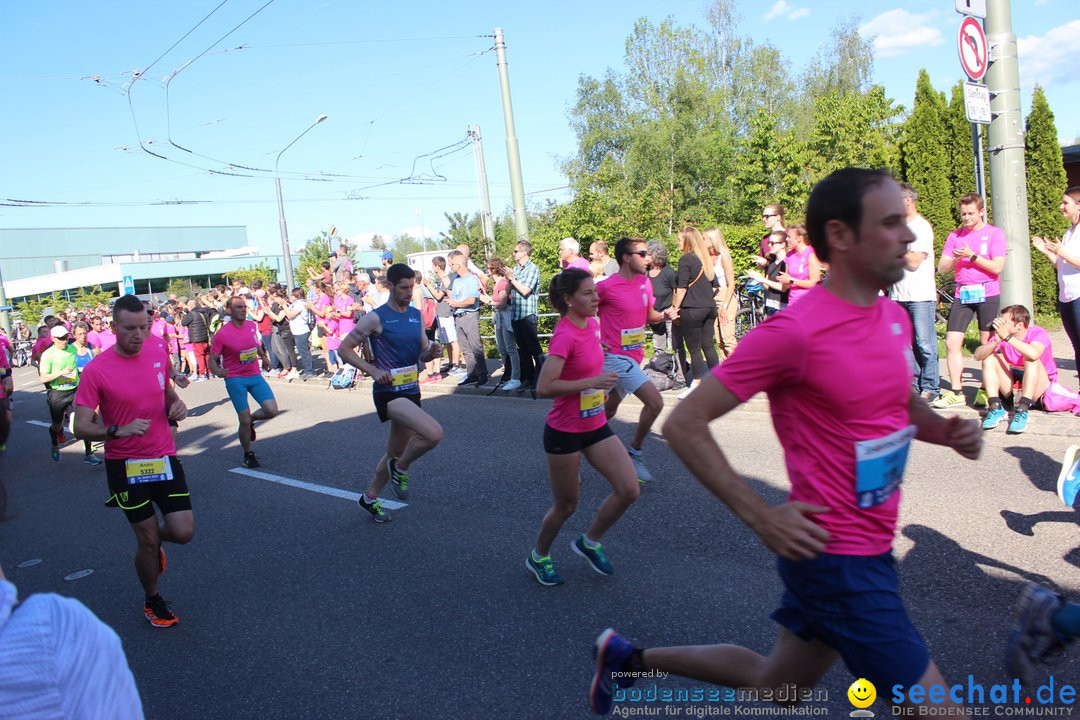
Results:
<point x="580" y="347"/>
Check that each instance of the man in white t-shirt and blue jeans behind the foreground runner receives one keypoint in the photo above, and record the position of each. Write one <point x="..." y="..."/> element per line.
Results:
<point x="917" y="294"/>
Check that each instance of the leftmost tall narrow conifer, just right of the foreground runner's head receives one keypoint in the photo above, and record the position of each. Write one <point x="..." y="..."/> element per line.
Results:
<point x="925" y="158"/>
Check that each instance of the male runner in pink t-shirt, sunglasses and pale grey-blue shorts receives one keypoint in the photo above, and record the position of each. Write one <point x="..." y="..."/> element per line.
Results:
<point x="626" y="309"/>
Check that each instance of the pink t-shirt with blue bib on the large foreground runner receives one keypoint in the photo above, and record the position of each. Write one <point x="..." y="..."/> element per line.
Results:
<point x="836" y="375"/>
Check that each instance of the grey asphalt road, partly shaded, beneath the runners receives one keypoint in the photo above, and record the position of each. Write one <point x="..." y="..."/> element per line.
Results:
<point x="295" y="605"/>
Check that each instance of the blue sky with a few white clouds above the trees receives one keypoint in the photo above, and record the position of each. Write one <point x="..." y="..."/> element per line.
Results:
<point x="398" y="80"/>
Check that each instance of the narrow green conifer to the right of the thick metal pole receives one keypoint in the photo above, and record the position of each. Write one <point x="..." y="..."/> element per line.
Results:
<point x="1046" y="184"/>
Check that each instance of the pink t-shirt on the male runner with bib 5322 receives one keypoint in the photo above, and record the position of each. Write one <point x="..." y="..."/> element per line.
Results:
<point x="126" y="389"/>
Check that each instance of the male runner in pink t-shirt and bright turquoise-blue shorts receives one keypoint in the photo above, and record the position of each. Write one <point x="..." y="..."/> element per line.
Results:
<point x="234" y="356"/>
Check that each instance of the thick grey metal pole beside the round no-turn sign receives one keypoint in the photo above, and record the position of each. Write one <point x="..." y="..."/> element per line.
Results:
<point x="1008" y="175"/>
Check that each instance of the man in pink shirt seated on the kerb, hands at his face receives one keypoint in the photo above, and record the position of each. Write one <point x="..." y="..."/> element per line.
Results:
<point x="1021" y="352"/>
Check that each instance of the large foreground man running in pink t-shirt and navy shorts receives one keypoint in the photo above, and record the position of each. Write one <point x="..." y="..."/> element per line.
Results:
<point x="846" y="461"/>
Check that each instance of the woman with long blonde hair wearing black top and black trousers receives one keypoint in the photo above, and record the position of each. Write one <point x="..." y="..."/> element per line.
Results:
<point x="695" y="293"/>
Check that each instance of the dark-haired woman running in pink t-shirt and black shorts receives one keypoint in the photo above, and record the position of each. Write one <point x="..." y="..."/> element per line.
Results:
<point x="574" y="375"/>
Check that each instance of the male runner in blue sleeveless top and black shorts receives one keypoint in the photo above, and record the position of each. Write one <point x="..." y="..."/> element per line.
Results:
<point x="395" y="332"/>
